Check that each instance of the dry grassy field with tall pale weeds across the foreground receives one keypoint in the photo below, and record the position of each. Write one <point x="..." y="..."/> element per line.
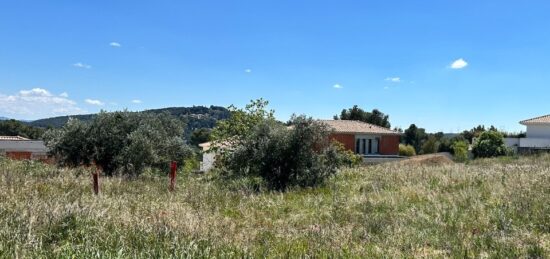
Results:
<point x="487" y="208"/>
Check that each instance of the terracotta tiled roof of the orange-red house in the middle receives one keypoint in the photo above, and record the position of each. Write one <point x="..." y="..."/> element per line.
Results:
<point x="357" y="127"/>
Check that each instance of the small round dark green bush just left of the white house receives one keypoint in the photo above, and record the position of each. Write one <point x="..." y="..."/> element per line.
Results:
<point x="489" y="144"/>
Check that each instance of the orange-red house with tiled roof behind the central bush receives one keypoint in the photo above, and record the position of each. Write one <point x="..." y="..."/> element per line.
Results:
<point x="368" y="140"/>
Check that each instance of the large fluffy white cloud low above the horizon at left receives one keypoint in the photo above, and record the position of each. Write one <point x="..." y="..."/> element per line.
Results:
<point x="37" y="103"/>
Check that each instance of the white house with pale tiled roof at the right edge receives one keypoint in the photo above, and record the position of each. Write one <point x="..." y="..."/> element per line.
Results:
<point x="538" y="136"/>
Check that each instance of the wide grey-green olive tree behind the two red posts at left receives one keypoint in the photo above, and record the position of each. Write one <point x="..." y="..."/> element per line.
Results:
<point x="120" y="142"/>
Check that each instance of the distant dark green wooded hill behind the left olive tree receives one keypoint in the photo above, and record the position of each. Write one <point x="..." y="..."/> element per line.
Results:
<point x="194" y="117"/>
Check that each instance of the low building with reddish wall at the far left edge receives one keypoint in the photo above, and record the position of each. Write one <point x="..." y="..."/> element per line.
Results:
<point x="16" y="147"/>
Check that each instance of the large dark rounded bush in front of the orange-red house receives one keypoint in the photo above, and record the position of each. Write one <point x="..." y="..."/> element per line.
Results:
<point x="301" y="155"/>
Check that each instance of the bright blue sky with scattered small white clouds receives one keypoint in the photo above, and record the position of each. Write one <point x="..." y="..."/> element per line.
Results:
<point x="305" y="57"/>
